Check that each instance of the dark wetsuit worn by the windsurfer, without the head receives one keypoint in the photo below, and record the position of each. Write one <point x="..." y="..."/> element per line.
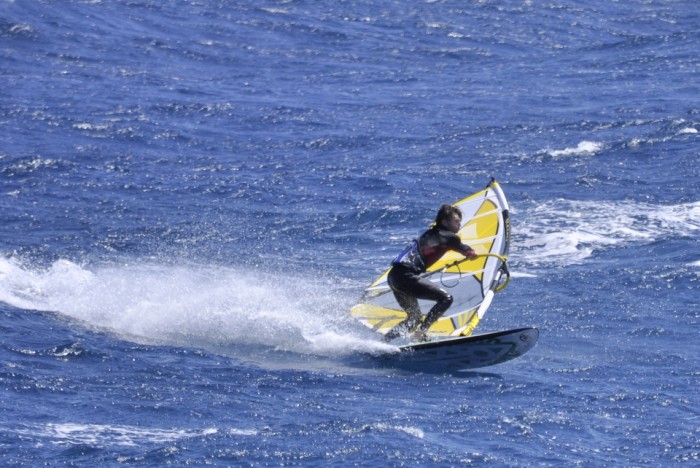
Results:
<point x="408" y="286"/>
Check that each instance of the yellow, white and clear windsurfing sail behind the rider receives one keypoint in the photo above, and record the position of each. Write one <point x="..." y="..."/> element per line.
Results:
<point x="472" y="283"/>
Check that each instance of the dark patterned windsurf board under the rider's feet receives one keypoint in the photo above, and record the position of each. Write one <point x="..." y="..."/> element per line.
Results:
<point x="463" y="353"/>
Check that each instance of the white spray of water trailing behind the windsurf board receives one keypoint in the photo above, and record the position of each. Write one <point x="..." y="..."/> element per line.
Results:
<point x="195" y="305"/>
